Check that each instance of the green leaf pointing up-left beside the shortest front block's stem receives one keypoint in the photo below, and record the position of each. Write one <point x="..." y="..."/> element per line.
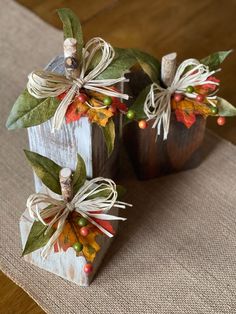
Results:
<point x="46" y="169"/>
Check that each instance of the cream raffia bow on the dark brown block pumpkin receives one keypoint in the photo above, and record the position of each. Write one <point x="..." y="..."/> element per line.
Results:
<point x="157" y="104"/>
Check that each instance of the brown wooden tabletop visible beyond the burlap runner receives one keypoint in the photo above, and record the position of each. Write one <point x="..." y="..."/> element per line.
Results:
<point x="191" y="28"/>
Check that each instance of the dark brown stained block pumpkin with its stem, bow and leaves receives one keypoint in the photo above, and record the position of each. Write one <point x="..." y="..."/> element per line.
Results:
<point x="165" y="125"/>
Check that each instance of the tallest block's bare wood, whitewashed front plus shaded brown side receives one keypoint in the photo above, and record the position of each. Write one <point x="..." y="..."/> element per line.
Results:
<point x="77" y="137"/>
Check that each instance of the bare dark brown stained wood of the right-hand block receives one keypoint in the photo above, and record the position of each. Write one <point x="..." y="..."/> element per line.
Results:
<point x="152" y="157"/>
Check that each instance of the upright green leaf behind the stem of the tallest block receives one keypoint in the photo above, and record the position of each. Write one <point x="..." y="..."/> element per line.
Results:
<point x="72" y="27"/>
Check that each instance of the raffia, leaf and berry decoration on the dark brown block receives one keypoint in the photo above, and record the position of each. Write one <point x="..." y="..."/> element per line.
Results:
<point x="191" y="91"/>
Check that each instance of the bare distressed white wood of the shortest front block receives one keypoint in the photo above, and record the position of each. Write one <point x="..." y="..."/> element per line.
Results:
<point x="65" y="264"/>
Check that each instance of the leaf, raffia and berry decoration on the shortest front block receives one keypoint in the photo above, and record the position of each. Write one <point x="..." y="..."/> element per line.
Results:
<point x="82" y="208"/>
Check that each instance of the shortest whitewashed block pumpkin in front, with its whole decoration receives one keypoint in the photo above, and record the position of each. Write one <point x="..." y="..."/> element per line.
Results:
<point x="69" y="225"/>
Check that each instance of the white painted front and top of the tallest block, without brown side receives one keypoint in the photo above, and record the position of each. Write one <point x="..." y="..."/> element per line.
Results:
<point x="63" y="145"/>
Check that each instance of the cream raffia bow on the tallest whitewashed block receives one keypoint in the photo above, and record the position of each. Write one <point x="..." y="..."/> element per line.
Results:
<point x="42" y="84"/>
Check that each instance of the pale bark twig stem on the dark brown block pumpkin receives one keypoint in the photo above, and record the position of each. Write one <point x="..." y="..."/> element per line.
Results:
<point x="168" y="68"/>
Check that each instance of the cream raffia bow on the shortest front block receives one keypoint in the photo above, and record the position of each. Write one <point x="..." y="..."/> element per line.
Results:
<point x="86" y="202"/>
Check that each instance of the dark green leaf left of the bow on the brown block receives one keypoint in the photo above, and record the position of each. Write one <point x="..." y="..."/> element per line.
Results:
<point x="137" y="106"/>
